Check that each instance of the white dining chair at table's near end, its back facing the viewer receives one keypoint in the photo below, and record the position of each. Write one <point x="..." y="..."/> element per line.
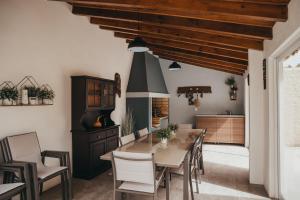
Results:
<point x="135" y="173"/>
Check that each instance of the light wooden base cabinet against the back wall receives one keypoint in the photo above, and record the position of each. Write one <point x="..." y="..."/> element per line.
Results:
<point x="222" y="129"/>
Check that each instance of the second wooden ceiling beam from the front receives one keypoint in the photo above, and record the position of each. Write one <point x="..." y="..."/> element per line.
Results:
<point x="214" y="27"/>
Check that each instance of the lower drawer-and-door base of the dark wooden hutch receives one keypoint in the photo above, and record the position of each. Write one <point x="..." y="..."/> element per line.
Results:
<point x="87" y="149"/>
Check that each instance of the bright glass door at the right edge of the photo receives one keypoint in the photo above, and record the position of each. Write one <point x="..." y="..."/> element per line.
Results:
<point x="289" y="125"/>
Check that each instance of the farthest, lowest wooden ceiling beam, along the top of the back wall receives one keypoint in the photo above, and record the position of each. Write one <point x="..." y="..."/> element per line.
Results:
<point x="199" y="64"/>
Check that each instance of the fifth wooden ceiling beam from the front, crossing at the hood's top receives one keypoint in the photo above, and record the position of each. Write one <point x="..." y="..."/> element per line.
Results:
<point x="191" y="47"/>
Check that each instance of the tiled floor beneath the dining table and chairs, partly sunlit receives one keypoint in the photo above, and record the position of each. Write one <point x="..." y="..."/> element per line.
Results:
<point x="226" y="178"/>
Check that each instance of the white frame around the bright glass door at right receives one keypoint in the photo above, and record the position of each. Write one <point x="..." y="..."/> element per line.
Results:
<point x="274" y="67"/>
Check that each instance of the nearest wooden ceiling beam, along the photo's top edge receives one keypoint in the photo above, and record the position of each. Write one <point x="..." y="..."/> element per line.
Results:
<point x="217" y="10"/>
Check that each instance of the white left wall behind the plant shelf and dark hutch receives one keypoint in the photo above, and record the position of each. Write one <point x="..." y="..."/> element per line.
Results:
<point x="44" y="39"/>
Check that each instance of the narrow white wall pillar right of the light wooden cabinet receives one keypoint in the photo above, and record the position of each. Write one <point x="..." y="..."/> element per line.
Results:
<point x="257" y="118"/>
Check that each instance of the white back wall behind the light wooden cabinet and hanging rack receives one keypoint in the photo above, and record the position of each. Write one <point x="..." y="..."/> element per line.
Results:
<point x="216" y="103"/>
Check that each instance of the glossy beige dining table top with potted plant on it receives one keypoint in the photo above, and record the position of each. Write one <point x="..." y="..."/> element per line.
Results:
<point x="169" y="155"/>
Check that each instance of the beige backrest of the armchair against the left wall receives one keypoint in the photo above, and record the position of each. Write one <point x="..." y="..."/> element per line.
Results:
<point x="25" y="147"/>
